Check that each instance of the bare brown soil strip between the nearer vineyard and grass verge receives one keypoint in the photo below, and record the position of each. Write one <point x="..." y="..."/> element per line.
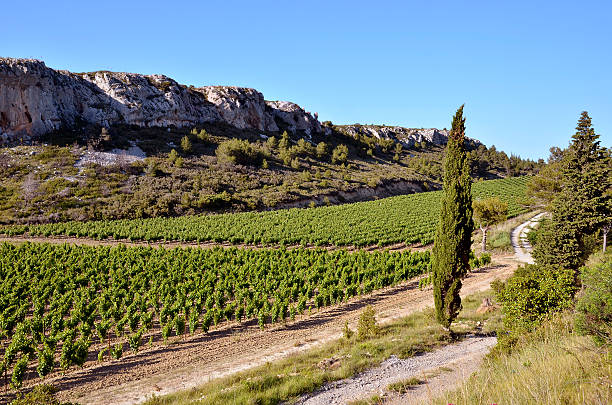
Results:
<point x="194" y="360"/>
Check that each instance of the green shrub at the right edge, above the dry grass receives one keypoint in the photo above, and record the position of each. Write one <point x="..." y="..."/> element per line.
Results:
<point x="594" y="306"/>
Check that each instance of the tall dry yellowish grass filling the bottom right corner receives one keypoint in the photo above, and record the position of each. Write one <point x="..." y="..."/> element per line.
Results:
<point x="552" y="365"/>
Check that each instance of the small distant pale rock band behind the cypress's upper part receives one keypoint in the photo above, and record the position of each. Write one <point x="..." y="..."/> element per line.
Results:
<point x="407" y="136"/>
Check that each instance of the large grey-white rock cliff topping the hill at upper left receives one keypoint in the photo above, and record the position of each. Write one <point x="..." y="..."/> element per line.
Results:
<point x="35" y="100"/>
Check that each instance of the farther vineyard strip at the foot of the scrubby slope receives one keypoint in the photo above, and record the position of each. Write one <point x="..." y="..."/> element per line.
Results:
<point x="408" y="219"/>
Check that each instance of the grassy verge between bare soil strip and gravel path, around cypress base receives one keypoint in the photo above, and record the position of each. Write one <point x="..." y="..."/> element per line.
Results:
<point x="298" y="374"/>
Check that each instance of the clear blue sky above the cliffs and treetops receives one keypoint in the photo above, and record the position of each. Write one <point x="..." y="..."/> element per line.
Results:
<point x="524" y="69"/>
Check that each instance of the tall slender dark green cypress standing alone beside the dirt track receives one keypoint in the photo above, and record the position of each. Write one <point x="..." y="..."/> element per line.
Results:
<point x="451" y="251"/>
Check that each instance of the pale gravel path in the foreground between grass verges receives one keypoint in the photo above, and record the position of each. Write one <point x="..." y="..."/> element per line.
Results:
<point x="376" y="380"/>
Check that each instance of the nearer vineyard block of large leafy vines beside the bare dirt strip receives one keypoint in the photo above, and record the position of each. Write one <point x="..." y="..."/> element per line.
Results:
<point x="61" y="305"/>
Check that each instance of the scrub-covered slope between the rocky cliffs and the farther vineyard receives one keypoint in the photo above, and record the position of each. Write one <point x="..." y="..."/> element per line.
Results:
<point x="213" y="169"/>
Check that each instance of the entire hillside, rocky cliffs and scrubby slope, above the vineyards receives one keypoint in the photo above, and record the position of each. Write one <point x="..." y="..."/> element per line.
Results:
<point x="107" y="145"/>
